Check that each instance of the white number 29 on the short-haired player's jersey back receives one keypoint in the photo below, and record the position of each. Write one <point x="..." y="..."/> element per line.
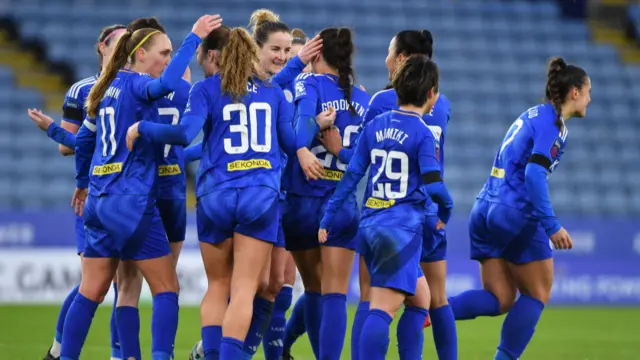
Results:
<point x="383" y="190"/>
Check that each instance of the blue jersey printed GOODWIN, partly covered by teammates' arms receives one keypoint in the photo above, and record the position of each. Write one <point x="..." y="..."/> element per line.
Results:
<point x="326" y="92"/>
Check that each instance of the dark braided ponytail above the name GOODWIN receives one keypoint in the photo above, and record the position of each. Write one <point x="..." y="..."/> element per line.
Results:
<point x="337" y="51"/>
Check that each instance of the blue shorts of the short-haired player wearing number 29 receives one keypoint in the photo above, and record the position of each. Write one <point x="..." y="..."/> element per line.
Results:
<point x="392" y="256"/>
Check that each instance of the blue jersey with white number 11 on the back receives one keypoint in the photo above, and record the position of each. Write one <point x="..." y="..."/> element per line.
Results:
<point x="115" y="170"/>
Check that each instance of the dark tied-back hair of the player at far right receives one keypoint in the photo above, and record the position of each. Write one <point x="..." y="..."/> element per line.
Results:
<point x="561" y="79"/>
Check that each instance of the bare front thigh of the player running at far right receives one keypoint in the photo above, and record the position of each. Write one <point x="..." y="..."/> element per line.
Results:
<point x="534" y="279"/>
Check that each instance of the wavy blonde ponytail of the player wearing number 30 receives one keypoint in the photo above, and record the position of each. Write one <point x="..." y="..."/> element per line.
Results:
<point x="239" y="63"/>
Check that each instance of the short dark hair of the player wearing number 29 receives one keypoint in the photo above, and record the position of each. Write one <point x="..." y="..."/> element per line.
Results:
<point x="414" y="79"/>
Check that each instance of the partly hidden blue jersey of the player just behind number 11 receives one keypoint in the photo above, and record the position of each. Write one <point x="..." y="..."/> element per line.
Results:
<point x="171" y="169"/>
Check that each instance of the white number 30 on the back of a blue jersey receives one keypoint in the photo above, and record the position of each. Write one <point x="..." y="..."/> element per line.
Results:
<point x="243" y="130"/>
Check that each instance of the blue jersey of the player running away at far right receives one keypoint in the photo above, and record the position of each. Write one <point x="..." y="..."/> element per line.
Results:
<point x="534" y="132"/>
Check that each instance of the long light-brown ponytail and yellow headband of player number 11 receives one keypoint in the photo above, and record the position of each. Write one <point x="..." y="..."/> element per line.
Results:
<point x="131" y="40"/>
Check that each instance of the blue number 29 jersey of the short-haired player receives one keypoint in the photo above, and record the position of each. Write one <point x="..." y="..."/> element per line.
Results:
<point x="394" y="196"/>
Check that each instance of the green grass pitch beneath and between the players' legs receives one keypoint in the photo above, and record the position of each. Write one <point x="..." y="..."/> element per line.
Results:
<point x="26" y="333"/>
